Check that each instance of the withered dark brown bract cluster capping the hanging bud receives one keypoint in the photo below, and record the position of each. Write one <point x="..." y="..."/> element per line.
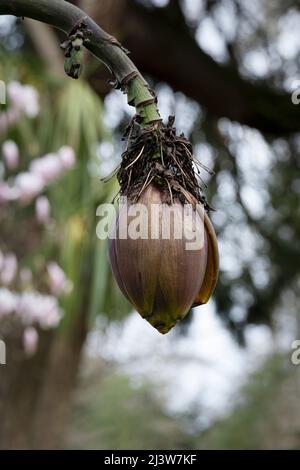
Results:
<point x="157" y="154"/>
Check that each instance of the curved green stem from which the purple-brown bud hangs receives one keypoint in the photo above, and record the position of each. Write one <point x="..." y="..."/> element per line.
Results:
<point x="64" y="15"/>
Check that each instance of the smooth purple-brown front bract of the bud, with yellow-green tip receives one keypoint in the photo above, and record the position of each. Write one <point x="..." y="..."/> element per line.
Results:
<point x="159" y="275"/>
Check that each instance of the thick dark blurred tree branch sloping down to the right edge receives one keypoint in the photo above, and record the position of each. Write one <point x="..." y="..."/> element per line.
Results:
<point x="173" y="55"/>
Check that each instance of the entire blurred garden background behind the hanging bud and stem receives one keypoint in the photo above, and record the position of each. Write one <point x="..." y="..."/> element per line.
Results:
<point x="82" y="370"/>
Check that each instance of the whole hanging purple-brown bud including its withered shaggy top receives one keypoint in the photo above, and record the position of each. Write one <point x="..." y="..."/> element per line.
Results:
<point x="162" y="276"/>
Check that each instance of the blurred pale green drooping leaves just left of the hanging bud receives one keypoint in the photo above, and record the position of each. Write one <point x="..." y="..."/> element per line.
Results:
<point x="84" y="257"/>
